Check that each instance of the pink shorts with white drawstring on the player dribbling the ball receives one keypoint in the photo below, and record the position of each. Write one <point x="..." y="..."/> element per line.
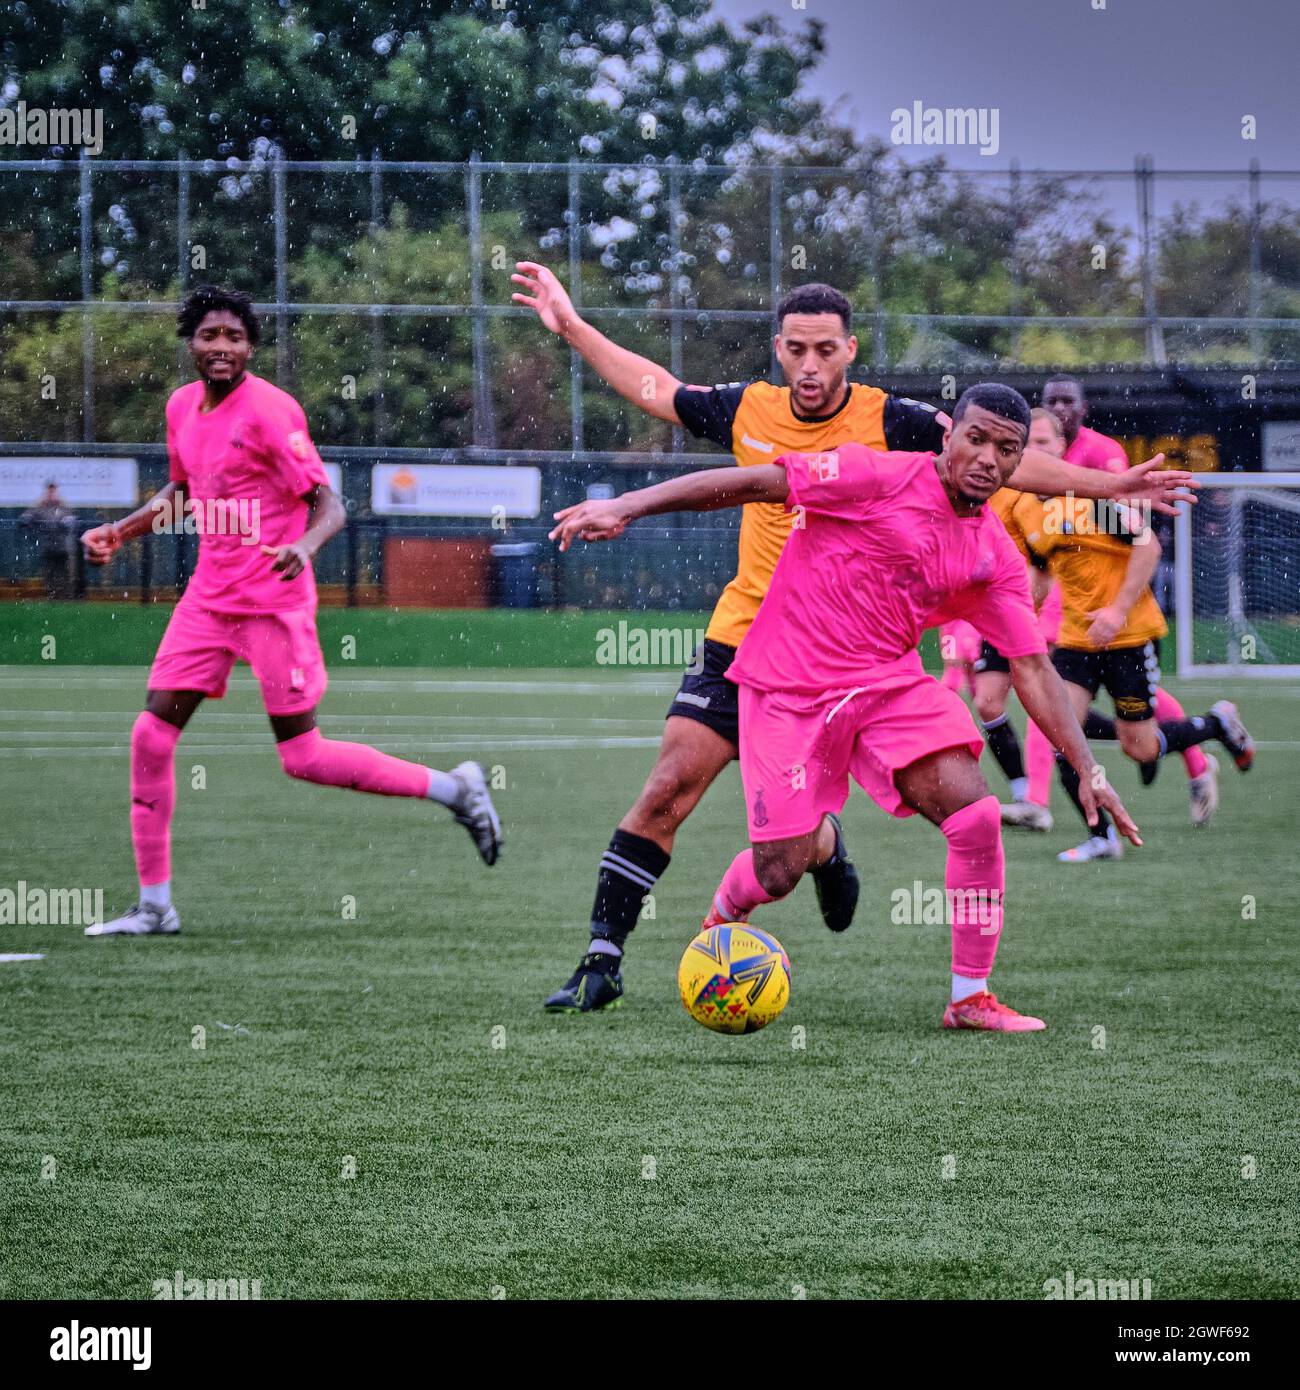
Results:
<point x="797" y="753"/>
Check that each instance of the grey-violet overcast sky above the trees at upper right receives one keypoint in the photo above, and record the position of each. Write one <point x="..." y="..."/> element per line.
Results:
<point x="1075" y="87"/>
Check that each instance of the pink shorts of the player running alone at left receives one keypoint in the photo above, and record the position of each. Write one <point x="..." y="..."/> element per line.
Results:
<point x="201" y="647"/>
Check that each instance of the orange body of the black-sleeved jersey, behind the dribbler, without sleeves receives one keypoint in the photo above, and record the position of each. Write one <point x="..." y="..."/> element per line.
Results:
<point x="765" y="429"/>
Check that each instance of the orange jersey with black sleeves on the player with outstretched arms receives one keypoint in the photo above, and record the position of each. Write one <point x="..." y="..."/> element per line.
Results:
<point x="758" y="425"/>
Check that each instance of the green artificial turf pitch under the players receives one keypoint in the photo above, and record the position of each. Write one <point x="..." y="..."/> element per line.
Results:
<point x="500" y="1149"/>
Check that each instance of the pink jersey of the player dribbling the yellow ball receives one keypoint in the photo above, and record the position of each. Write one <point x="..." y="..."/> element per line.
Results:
<point x="878" y="555"/>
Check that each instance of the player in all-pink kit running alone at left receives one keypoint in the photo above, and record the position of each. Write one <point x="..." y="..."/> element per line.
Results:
<point x="245" y="469"/>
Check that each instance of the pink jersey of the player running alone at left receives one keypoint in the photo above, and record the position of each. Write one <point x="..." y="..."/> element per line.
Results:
<point x="247" y="469"/>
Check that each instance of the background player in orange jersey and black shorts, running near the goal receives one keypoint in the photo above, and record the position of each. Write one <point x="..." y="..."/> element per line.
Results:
<point x="1103" y="557"/>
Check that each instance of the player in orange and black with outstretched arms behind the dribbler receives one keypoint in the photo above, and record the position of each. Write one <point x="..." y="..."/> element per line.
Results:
<point x="757" y="423"/>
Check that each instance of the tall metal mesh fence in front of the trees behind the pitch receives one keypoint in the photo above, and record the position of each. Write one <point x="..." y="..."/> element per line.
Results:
<point x="390" y="315"/>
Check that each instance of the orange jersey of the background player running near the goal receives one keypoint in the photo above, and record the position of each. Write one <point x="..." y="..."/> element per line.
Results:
<point x="1088" y="561"/>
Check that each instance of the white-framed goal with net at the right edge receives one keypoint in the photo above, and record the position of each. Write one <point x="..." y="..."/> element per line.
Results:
<point x="1237" y="578"/>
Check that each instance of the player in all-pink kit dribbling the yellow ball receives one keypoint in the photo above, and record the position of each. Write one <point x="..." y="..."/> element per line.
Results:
<point x="832" y="685"/>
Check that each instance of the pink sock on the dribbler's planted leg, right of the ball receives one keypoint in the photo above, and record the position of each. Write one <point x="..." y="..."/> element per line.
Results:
<point x="975" y="881"/>
